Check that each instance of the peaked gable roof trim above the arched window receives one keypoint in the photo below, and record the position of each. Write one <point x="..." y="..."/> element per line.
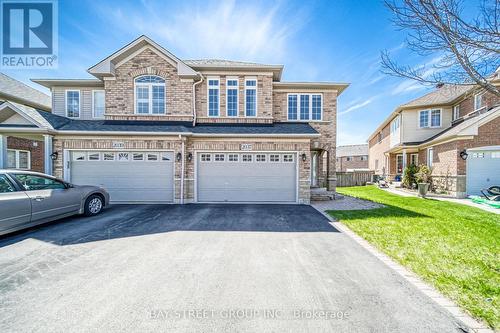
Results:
<point x="106" y="66"/>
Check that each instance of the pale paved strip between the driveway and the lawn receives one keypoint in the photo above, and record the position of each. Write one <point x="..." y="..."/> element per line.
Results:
<point x="444" y="302"/>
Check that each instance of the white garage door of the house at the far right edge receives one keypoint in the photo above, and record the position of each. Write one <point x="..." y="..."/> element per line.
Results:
<point x="483" y="170"/>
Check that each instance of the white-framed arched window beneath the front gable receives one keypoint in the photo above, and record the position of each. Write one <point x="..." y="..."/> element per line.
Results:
<point x="150" y="95"/>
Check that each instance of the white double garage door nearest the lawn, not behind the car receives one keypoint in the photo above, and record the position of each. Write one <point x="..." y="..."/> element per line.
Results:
<point x="246" y="177"/>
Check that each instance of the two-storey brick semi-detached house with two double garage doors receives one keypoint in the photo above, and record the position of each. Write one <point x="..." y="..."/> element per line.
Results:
<point x="150" y="127"/>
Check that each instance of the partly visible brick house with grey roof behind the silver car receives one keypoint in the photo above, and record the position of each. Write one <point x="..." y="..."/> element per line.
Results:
<point x="23" y="151"/>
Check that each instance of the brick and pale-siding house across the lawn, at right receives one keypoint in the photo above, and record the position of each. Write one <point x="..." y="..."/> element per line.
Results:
<point x="453" y="129"/>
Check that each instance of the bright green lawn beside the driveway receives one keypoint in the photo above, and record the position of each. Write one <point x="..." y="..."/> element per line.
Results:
<point x="454" y="247"/>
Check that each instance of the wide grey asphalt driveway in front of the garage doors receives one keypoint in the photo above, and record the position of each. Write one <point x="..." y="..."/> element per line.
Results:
<point x="245" y="268"/>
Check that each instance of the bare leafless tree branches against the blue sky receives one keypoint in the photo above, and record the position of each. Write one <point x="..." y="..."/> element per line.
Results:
<point x="467" y="50"/>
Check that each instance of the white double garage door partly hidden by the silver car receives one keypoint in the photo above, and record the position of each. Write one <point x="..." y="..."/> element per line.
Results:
<point x="128" y="176"/>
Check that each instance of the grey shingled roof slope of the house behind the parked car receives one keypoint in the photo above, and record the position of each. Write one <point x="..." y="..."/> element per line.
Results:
<point x="14" y="90"/>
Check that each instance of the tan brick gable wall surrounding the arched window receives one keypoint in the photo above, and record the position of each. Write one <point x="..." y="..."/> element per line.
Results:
<point x="120" y="91"/>
